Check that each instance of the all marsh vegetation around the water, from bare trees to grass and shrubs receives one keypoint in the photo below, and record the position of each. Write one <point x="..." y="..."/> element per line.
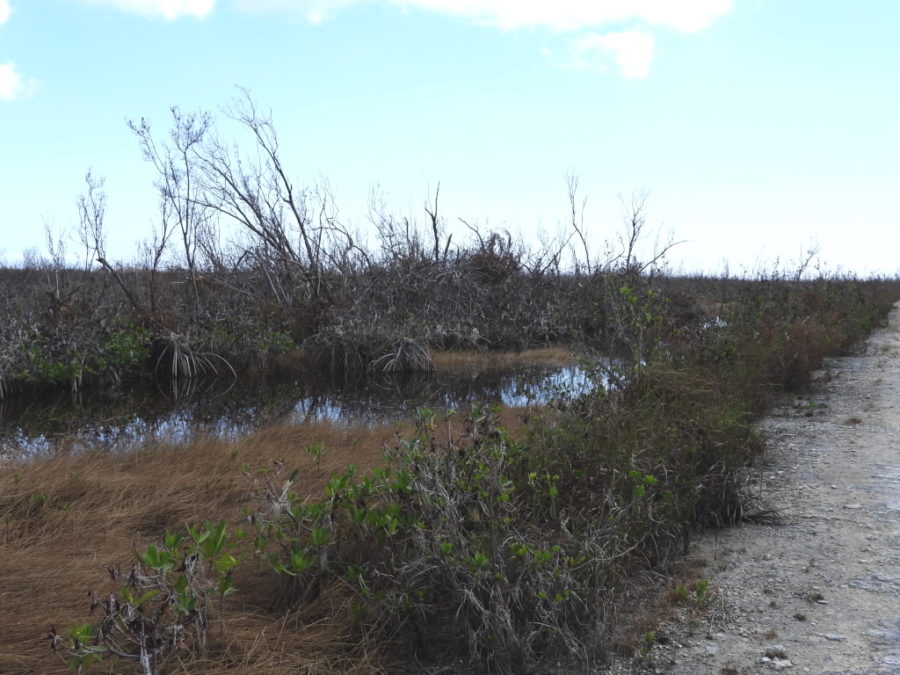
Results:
<point x="499" y="538"/>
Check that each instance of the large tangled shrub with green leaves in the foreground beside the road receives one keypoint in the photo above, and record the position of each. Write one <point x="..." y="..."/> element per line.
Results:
<point x="467" y="534"/>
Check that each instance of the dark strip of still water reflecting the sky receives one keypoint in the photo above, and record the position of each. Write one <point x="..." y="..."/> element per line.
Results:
<point x="122" y="420"/>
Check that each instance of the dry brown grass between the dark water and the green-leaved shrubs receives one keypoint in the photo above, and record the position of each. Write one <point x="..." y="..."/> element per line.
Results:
<point x="64" y="520"/>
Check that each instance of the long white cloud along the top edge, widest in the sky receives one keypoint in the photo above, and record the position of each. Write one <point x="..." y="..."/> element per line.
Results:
<point x="560" y="15"/>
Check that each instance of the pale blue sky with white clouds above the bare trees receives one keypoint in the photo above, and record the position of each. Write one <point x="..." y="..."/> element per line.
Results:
<point x="759" y="127"/>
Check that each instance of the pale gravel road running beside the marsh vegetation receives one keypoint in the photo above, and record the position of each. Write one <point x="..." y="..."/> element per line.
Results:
<point x="820" y="591"/>
